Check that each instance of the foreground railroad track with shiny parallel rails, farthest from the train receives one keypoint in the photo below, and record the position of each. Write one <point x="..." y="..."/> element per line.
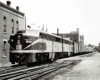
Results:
<point x="33" y="72"/>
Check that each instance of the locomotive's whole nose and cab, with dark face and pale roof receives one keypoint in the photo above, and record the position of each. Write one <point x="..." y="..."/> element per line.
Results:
<point x="23" y="46"/>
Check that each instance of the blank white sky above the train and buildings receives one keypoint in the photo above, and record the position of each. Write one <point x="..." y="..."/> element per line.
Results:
<point x="67" y="15"/>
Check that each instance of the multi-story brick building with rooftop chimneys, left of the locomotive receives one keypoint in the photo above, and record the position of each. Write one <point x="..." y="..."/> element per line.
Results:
<point x="11" y="20"/>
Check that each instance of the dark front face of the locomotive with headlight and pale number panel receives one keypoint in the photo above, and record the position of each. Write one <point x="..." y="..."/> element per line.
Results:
<point x="16" y="42"/>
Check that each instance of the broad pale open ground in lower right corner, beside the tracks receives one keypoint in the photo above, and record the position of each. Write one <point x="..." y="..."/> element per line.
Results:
<point x="87" y="69"/>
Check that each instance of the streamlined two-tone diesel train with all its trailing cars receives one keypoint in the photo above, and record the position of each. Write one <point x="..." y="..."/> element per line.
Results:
<point x="35" y="46"/>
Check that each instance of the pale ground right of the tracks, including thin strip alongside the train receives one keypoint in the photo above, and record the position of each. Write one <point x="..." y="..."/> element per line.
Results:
<point x="87" y="69"/>
